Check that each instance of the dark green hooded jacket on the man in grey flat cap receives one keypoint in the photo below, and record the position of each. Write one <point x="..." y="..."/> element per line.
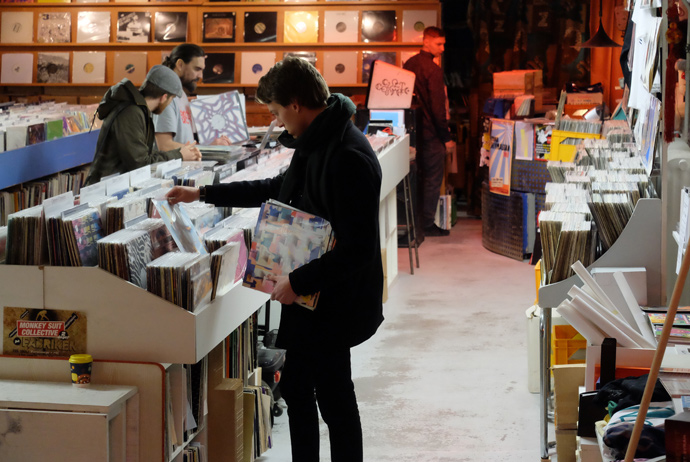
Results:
<point x="128" y="144"/>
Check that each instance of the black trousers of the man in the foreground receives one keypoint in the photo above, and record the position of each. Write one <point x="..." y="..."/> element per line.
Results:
<point x="322" y="374"/>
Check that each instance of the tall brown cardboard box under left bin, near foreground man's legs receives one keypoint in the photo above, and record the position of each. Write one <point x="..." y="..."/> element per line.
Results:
<point x="226" y="421"/>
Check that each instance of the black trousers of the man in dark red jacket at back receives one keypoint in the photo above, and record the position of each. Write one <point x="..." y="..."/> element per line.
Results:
<point x="431" y="157"/>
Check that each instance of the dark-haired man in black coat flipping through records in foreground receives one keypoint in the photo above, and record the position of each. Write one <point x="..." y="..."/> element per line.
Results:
<point x="334" y="174"/>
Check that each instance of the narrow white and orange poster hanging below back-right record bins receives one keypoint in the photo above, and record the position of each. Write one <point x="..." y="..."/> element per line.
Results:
<point x="501" y="154"/>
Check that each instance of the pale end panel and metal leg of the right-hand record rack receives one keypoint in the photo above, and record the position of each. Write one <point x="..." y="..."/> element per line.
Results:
<point x="643" y="234"/>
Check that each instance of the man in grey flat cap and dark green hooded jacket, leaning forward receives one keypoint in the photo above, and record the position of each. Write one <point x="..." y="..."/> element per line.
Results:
<point x="126" y="140"/>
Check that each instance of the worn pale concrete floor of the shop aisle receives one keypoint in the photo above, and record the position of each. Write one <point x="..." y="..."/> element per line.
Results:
<point x="445" y="378"/>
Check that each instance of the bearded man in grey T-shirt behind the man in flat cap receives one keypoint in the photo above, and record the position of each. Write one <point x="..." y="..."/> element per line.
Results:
<point x="175" y="126"/>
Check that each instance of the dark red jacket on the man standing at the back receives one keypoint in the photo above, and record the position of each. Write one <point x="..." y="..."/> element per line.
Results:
<point x="430" y="94"/>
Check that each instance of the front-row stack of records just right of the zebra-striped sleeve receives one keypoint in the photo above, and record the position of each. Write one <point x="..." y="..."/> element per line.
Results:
<point x="182" y="278"/>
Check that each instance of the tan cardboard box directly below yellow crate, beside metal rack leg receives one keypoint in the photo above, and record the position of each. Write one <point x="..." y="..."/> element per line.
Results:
<point x="567" y="379"/>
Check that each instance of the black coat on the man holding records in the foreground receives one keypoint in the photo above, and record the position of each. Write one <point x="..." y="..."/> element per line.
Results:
<point x="334" y="174"/>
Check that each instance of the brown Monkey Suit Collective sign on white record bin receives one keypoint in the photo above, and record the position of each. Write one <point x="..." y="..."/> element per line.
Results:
<point x="43" y="332"/>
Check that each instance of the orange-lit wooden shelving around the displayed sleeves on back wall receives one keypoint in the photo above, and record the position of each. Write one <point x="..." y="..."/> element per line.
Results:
<point x="195" y="10"/>
